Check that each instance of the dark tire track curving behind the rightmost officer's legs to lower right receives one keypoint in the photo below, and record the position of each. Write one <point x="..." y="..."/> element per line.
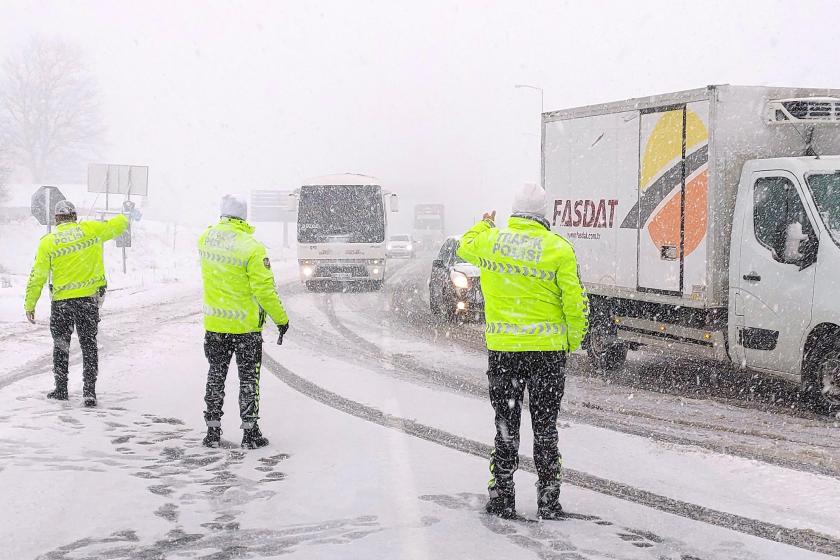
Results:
<point x="805" y="539"/>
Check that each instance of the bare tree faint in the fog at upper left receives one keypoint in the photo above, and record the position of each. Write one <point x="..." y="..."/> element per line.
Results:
<point x="50" y="106"/>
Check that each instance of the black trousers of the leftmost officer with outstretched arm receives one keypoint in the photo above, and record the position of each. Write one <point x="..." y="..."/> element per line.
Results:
<point x="83" y="315"/>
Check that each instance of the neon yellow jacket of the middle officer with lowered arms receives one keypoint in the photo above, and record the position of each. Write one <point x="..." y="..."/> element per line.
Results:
<point x="238" y="283"/>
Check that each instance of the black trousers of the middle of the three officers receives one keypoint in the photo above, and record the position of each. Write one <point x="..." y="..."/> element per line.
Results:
<point x="219" y="348"/>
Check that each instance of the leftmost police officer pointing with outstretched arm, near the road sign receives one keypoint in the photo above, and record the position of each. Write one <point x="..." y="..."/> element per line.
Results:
<point x="73" y="255"/>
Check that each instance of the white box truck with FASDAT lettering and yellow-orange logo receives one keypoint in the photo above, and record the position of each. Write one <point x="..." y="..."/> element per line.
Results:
<point x="707" y="222"/>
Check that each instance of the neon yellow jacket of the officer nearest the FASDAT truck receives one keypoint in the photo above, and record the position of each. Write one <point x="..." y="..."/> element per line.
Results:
<point x="534" y="300"/>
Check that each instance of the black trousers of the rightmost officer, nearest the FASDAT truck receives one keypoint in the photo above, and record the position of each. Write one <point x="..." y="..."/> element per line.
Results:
<point x="509" y="374"/>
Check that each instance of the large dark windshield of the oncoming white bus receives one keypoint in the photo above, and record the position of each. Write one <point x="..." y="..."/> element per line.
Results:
<point x="341" y="213"/>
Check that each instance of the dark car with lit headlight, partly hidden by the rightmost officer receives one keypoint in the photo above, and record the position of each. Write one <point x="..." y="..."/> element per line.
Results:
<point x="454" y="285"/>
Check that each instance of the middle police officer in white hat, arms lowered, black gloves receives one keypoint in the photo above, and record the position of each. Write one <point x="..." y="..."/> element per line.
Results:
<point x="238" y="294"/>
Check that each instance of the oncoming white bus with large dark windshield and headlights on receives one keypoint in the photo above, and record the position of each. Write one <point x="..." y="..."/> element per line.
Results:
<point x="342" y="229"/>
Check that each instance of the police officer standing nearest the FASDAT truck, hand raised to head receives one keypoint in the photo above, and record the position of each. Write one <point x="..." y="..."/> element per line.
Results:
<point x="536" y="313"/>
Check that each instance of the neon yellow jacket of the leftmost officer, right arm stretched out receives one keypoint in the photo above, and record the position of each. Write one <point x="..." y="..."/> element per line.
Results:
<point x="73" y="253"/>
